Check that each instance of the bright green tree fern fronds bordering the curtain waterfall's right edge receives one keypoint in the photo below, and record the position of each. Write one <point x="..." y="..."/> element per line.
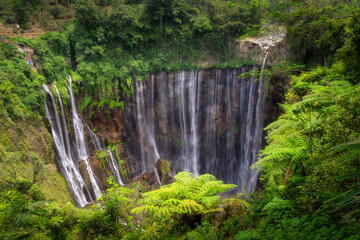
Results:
<point x="289" y="138"/>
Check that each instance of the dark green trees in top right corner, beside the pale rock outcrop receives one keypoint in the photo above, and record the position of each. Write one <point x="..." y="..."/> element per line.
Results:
<point x="323" y="31"/>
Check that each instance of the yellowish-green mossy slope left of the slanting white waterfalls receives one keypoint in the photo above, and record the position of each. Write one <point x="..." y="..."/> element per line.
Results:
<point x="26" y="153"/>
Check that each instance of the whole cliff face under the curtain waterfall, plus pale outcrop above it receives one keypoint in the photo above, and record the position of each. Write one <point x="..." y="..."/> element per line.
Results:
<point x="201" y="121"/>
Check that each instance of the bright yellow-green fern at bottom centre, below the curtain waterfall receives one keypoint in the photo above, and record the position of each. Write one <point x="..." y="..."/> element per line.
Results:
<point x="187" y="196"/>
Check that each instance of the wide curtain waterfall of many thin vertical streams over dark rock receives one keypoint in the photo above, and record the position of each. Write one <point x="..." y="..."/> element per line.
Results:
<point x="207" y="121"/>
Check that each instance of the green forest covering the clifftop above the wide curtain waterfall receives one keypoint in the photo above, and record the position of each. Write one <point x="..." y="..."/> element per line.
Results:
<point x="111" y="42"/>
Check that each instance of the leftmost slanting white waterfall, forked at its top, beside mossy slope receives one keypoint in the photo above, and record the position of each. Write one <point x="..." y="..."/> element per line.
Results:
<point x="65" y="163"/>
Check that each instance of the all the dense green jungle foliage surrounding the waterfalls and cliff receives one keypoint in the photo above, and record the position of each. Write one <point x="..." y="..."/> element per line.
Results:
<point x="310" y="166"/>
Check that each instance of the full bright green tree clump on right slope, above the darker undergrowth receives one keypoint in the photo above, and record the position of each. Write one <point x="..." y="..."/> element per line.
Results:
<point x="308" y="127"/>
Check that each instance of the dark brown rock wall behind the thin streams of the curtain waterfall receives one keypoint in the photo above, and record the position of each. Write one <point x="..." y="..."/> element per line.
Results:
<point x="219" y="92"/>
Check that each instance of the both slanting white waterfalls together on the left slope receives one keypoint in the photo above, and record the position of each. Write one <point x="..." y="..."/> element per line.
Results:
<point x="70" y="155"/>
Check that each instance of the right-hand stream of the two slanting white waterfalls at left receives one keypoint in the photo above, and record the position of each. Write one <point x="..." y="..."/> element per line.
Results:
<point x="81" y="144"/>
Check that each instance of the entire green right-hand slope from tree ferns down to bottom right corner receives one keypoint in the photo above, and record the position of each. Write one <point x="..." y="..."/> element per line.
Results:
<point x="311" y="163"/>
